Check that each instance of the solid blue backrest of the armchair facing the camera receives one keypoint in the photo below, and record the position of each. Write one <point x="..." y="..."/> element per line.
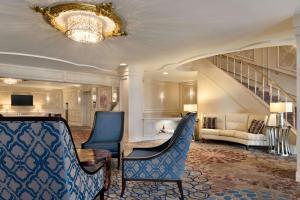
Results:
<point x="108" y="127"/>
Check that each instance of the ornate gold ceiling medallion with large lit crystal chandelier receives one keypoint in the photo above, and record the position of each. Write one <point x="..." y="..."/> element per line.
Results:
<point x="83" y="22"/>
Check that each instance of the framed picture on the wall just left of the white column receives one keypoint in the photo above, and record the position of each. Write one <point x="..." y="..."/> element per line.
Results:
<point x="105" y="94"/>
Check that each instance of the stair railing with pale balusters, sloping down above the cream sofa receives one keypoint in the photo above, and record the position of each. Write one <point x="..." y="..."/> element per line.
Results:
<point x="252" y="76"/>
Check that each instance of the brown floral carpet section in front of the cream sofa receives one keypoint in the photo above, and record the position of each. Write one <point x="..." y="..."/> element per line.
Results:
<point x="235" y="173"/>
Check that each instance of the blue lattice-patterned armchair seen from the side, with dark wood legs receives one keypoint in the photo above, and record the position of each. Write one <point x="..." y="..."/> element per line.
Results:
<point x="162" y="163"/>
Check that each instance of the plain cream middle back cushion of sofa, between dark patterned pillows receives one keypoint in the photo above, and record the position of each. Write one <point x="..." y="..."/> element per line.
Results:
<point x="237" y="121"/>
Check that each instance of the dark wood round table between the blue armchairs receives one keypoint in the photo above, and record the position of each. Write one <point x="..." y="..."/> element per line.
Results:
<point x="92" y="159"/>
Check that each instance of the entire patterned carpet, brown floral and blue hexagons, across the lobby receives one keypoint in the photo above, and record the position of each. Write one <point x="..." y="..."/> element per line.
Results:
<point x="215" y="170"/>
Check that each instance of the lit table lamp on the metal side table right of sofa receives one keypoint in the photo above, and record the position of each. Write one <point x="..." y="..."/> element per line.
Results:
<point x="279" y="108"/>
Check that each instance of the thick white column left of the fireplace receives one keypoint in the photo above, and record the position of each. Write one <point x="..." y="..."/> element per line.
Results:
<point x="132" y="102"/>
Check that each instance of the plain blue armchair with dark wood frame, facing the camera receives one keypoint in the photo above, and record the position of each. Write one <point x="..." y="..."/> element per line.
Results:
<point x="107" y="133"/>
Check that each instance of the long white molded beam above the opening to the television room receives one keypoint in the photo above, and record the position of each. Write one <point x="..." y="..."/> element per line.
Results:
<point x="34" y="73"/>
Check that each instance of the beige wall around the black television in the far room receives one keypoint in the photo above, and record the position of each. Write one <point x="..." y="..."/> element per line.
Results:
<point x="41" y="105"/>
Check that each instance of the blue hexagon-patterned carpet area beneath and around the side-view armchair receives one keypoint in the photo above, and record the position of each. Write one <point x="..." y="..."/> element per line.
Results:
<point x="194" y="183"/>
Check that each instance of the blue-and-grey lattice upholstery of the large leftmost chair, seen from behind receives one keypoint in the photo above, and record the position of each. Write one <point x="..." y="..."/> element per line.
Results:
<point x="38" y="161"/>
